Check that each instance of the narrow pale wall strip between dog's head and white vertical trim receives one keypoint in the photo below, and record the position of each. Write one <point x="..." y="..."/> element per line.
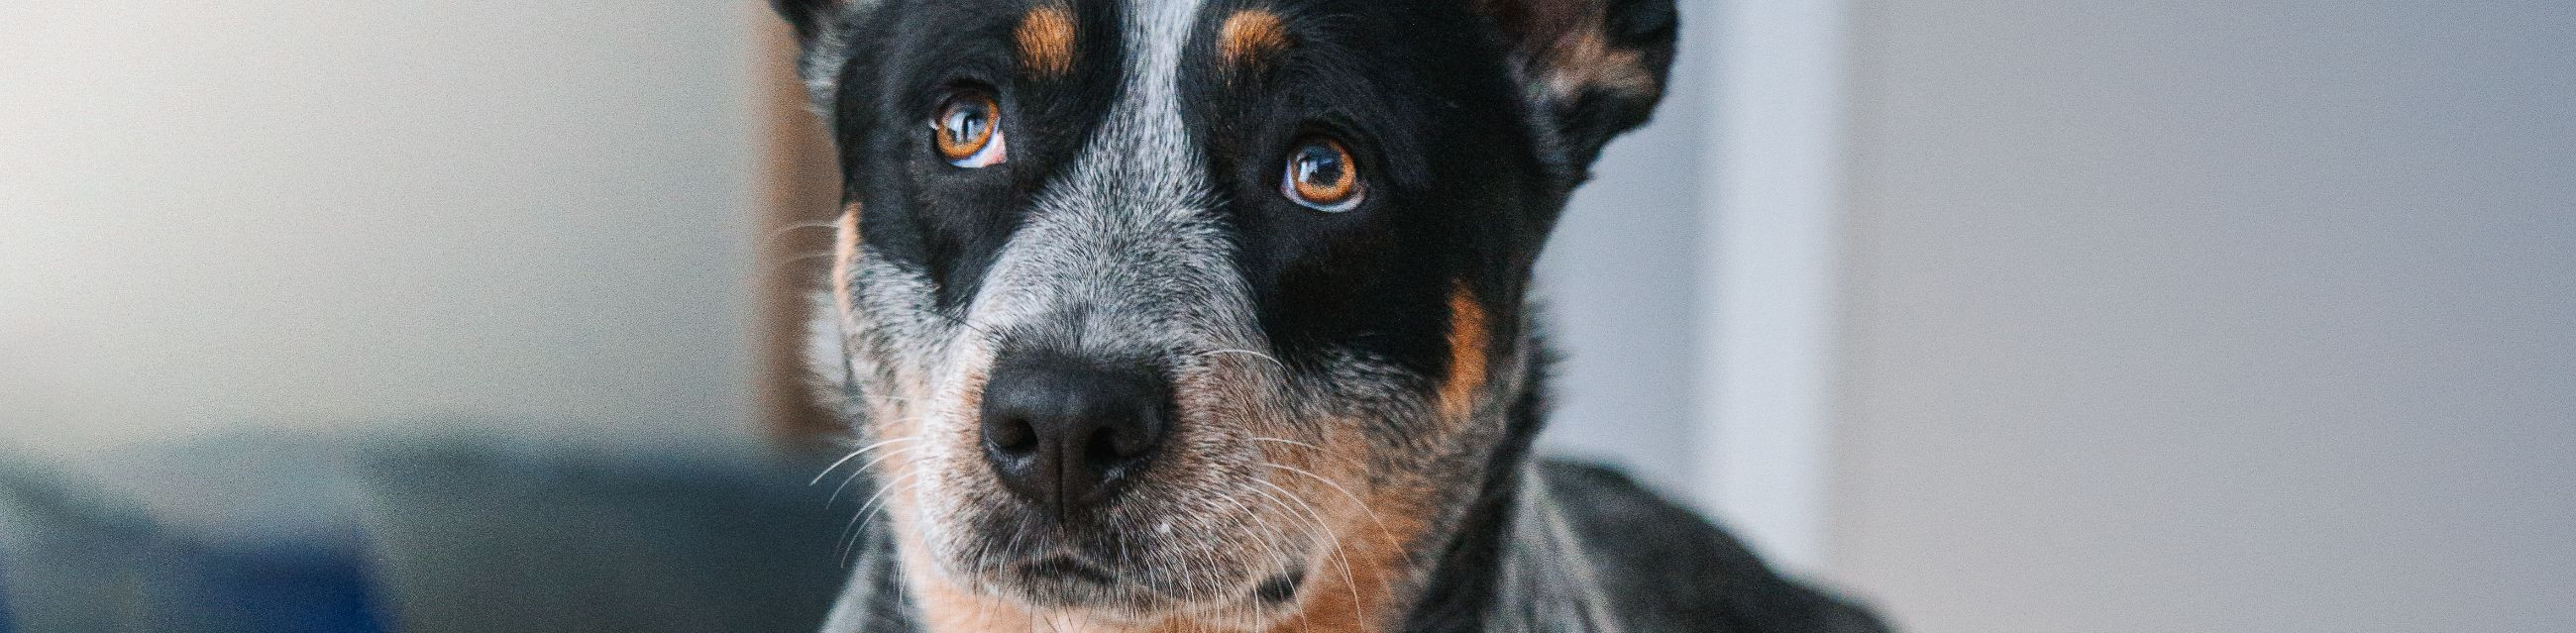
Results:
<point x="1622" y="287"/>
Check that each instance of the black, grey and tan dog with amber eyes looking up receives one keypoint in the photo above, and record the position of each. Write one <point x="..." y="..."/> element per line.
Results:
<point x="1212" y="315"/>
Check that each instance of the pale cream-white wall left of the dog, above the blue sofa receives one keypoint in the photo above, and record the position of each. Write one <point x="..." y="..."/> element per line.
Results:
<point x="357" y="212"/>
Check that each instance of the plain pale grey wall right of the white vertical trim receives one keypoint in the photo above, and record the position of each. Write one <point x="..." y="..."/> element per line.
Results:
<point x="2211" y="315"/>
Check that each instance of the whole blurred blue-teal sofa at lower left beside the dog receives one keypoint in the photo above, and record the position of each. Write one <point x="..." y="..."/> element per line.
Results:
<point x="313" y="534"/>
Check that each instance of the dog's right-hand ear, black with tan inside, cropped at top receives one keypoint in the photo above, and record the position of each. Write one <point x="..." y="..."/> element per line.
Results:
<point x="1591" y="68"/>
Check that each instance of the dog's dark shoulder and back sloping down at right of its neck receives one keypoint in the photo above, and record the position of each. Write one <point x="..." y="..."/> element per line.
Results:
<point x="1671" y="570"/>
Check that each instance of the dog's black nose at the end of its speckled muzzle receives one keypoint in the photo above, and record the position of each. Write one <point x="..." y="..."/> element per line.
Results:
<point x="1065" y="434"/>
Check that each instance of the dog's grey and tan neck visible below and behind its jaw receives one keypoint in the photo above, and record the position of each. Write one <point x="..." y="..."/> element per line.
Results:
<point x="1506" y="562"/>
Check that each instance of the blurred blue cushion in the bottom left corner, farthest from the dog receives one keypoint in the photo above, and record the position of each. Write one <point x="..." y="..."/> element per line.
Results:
<point x="225" y="537"/>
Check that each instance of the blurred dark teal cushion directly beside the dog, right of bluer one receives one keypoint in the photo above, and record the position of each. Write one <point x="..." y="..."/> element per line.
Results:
<point x="491" y="534"/>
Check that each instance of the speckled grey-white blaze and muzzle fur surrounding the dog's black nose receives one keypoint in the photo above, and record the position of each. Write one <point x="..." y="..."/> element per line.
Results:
<point x="1119" y="259"/>
